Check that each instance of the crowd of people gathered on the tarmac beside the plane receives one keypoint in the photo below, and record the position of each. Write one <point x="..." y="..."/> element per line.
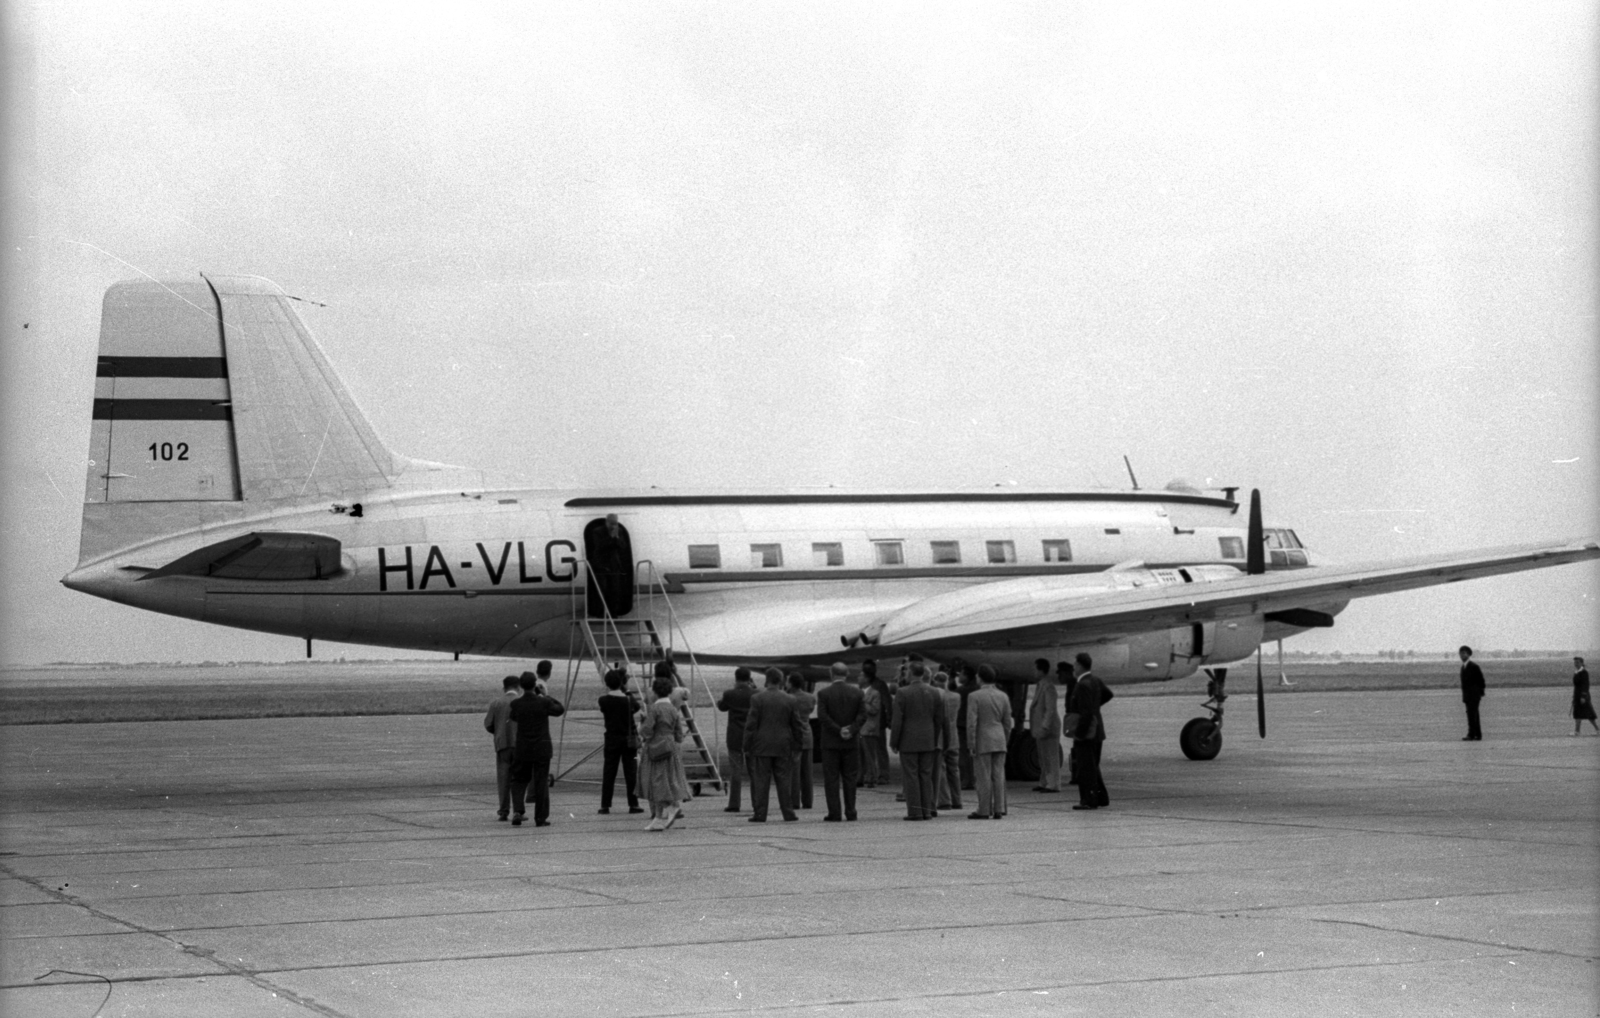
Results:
<point x="950" y="732"/>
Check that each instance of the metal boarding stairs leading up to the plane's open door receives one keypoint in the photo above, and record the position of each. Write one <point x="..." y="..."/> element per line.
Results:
<point x="636" y="646"/>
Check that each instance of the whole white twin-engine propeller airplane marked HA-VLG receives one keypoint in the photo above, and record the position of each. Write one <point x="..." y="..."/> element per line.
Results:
<point x="233" y="479"/>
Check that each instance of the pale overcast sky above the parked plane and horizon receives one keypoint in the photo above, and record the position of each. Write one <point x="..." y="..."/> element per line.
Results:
<point x="1345" y="255"/>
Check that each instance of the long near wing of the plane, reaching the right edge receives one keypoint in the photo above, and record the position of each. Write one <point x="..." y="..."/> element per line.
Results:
<point x="1044" y="609"/>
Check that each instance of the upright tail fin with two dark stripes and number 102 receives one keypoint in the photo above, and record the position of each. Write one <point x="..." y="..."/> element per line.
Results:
<point x="212" y="393"/>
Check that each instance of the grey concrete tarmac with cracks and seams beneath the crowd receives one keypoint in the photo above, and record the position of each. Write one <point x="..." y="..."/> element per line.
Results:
<point x="1362" y="860"/>
